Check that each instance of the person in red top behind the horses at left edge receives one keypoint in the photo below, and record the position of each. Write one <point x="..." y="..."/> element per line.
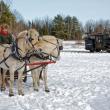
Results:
<point x="5" y="36"/>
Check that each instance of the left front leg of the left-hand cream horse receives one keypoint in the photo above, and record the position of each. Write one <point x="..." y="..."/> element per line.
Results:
<point x="11" y="82"/>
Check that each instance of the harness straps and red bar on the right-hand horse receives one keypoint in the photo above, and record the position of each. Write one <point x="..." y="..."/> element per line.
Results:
<point x="41" y="55"/>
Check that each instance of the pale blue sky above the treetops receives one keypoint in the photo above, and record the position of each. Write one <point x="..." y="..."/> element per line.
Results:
<point x="83" y="9"/>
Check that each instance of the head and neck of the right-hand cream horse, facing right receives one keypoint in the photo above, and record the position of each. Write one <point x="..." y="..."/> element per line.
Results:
<point x="50" y="45"/>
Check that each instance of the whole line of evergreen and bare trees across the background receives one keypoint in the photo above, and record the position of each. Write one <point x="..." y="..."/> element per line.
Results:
<point x="65" y="27"/>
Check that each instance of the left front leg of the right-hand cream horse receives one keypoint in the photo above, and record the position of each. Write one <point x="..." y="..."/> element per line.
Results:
<point x="35" y="78"/>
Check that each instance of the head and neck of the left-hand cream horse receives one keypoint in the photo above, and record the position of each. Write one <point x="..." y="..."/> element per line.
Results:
<point x="26" y="40"/>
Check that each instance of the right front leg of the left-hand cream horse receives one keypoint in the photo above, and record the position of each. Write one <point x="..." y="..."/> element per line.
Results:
<point x="20" y="82"/>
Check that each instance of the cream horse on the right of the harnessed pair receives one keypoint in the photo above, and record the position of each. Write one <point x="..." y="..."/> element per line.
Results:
<point x="50" y="47"/>
